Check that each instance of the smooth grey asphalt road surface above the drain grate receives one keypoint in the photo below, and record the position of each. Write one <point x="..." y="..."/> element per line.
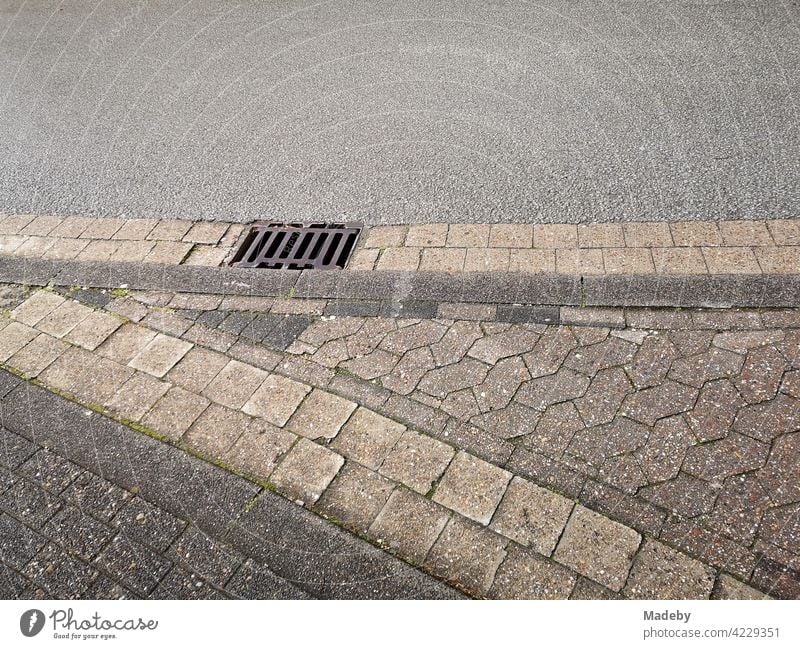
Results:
<point x="401" y="111"/>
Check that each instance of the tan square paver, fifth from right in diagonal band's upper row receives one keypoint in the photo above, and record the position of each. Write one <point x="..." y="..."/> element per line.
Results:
<point x="472" y="487"/>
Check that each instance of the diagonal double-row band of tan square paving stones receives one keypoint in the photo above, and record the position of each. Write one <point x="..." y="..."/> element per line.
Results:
<point x="461" y="518"/>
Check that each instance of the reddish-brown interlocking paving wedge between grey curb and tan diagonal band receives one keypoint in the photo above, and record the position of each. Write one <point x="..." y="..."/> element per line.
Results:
<point x="742" y="523"/>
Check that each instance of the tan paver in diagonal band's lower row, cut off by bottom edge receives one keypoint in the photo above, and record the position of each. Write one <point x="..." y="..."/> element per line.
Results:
<point x="526" y="575"/>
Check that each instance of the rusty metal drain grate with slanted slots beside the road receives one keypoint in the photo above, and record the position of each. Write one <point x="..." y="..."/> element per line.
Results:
<point x="296" y="246"/>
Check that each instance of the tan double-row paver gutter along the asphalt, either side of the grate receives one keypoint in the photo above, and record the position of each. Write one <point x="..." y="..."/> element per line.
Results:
<point x="684" y="248"/>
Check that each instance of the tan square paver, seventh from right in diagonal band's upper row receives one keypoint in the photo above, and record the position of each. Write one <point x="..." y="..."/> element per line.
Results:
<point x="367" y="438"/>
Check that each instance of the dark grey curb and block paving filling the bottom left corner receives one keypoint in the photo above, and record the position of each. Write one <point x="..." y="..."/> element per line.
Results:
<point x="92" y="510"/>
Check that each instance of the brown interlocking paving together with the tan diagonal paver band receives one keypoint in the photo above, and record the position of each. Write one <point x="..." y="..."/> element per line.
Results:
<point x="673" y="431"/>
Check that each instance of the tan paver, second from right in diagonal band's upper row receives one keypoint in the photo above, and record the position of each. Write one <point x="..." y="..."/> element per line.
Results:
<point x="659" y="572"/>
